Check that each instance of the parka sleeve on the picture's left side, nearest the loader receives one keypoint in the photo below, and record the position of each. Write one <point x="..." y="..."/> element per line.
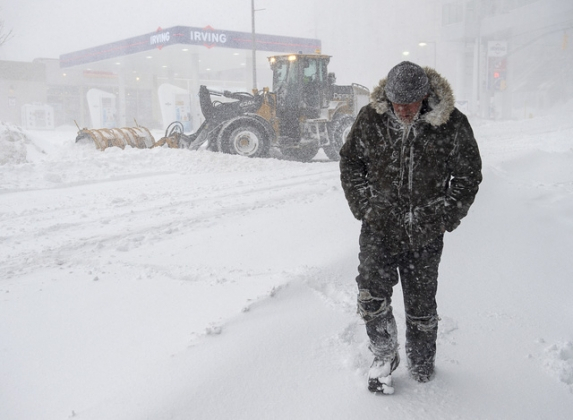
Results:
<point x="354" y="169"/>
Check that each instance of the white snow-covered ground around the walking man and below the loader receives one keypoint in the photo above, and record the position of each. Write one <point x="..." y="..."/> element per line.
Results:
<point x="170" y="284"/>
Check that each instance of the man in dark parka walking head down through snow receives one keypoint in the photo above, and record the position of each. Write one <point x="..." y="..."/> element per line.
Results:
<point x="410" y="170"/>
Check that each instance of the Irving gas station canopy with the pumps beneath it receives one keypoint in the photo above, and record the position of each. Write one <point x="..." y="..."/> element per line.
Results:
<point x="155" y="77"/>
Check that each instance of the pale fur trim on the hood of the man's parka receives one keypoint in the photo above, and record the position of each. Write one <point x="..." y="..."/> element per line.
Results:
<point x="440" y="100"/>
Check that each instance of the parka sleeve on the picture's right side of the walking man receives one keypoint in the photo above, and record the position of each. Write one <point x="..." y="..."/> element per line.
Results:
<point x="464" y="164"/>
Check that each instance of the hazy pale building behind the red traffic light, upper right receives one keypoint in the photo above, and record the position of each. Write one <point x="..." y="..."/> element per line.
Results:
<point x="509" y="58"/>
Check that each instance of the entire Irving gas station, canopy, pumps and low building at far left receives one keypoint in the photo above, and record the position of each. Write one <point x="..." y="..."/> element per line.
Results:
<point x="153" y="78"/>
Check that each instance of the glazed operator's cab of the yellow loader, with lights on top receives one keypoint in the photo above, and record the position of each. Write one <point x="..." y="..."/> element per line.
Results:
<point x="301" y="84"/>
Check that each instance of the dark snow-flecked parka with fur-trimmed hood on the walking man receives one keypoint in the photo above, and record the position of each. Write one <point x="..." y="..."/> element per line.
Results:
<point x="410" y="183"/>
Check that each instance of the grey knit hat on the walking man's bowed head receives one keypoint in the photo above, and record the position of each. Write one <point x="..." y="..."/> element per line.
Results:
<point x="406" y="83"/>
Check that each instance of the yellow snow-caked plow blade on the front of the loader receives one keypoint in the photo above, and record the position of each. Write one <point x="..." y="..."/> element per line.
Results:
<point x="139" y="137"/>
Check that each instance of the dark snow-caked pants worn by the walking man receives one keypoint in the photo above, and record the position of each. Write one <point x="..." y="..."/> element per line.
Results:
<point x="379" y="272"/>
